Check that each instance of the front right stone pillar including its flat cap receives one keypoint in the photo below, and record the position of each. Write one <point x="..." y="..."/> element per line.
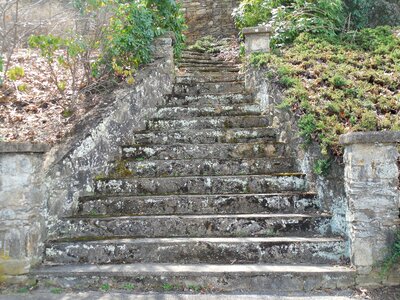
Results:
<point x="372" y="188"/>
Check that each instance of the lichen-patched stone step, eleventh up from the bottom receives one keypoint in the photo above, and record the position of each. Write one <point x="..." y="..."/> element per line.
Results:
<point x="209" y="100"/>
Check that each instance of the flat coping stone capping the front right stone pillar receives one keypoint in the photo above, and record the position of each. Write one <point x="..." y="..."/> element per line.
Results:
<point x="371" y="137"/>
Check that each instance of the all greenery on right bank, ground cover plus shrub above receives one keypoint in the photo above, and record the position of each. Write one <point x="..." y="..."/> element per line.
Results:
<point x="337" y="78"/>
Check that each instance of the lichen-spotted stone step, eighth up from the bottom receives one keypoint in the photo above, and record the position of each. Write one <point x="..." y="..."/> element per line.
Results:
<point x="206" y="136"/>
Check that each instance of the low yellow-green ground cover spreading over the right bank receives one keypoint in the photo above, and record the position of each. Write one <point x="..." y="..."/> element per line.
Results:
<point x="338" y="86"/>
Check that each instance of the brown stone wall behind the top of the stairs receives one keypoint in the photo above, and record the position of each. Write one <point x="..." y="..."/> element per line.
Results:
<point x="209" y="17"/>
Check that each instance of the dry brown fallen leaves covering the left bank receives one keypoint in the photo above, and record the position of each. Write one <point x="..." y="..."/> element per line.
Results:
<point x="31" y="108"/>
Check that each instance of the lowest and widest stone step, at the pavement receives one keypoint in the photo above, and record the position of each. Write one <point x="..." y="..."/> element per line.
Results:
<point x="213" y="278"/>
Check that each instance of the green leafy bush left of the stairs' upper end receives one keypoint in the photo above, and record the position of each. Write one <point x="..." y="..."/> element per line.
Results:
<point x="119" y="47"/>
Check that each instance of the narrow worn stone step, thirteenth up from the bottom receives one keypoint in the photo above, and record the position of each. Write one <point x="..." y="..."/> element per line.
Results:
<point x="200" y="77"/>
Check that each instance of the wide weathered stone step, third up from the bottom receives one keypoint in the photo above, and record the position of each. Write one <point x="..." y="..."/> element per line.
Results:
<point x="168" y="226"/>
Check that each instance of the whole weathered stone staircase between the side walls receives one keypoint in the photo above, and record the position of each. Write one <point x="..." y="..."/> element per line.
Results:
<point x="205" y="198"/>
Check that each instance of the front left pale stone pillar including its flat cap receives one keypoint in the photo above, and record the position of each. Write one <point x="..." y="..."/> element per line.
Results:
<point x="21" y="203"/>
